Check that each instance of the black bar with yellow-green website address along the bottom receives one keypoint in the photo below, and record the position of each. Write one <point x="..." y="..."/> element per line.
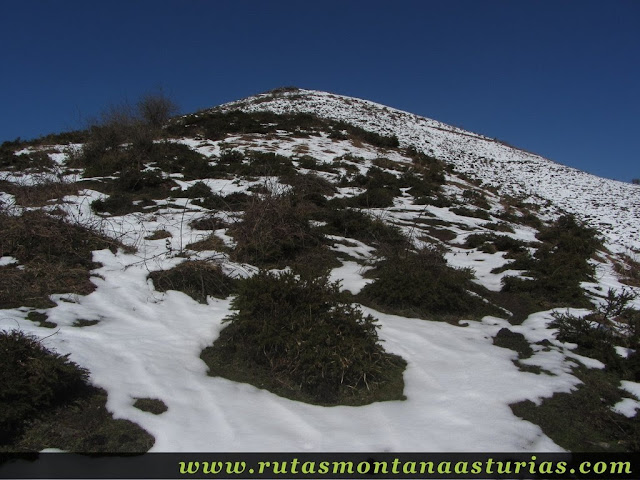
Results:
<point x="337" y="465"/>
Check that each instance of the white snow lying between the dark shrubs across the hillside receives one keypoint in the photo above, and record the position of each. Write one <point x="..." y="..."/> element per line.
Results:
<point x="459" y="385"/>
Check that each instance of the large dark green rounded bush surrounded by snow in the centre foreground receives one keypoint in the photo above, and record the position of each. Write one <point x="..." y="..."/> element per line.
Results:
<point x="301" y="338"/>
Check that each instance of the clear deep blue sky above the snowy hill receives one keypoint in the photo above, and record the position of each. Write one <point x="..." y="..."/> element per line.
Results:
<point x="559" y="78"/>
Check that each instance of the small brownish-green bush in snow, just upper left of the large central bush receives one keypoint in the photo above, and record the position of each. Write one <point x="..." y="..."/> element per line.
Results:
<point x="197" y="278"/>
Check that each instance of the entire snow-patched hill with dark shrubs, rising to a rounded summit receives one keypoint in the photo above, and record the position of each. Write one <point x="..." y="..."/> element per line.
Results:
<point x="311" y="272"/>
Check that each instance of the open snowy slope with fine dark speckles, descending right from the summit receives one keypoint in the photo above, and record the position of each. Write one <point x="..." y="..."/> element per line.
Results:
<point x="609" y="205"/>
